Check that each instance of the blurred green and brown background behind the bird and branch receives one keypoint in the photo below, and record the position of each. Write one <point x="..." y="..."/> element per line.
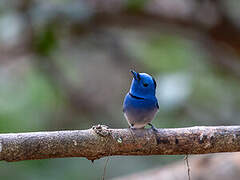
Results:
<point x="65" y="65"/>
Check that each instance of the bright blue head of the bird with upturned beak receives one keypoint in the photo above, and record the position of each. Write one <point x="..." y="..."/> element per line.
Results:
<point x="143" y="85"/>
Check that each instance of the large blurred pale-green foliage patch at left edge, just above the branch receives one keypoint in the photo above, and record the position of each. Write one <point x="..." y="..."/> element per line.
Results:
<point x="27" y="103"/>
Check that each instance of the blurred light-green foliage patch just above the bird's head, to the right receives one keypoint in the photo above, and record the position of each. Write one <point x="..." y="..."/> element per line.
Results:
<point x="166" y="53"/>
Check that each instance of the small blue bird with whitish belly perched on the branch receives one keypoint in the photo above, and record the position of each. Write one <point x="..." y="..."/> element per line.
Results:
<point x="140" y="103"/>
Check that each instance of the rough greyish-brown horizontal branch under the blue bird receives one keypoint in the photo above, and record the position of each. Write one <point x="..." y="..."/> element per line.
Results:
<point x="100" y="141"/>
